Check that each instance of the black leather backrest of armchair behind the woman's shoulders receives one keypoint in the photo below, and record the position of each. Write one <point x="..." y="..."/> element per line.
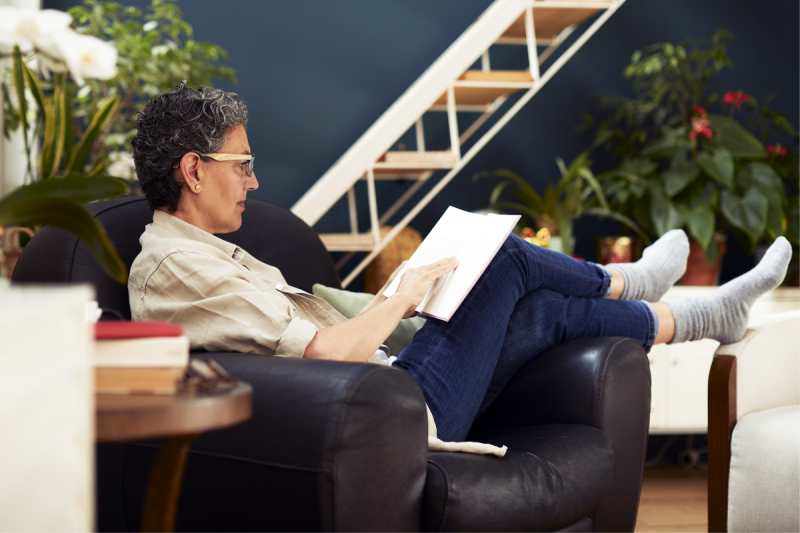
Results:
<point x="272" y="234"/>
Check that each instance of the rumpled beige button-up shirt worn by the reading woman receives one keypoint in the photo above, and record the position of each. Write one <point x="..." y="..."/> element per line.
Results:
<point x="225" y="299"/>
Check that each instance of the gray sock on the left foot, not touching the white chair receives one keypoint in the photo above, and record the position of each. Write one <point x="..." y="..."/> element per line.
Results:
<point x="662" y="264"/>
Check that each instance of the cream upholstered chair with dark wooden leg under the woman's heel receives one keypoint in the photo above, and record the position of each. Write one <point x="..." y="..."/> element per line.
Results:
<point x="754" y="429"/>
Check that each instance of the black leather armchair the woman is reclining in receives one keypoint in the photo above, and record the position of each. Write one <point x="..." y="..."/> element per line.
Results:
<point x="342" y="446"/>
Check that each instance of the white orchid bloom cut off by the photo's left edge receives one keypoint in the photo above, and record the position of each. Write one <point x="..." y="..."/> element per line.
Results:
<point x="32" y="28"/>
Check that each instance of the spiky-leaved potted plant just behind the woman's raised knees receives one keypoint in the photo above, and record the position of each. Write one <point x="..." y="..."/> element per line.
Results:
<point x="576" y="193"/>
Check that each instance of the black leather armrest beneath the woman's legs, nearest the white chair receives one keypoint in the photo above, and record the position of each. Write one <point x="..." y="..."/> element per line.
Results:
<point x="600" y="382"/>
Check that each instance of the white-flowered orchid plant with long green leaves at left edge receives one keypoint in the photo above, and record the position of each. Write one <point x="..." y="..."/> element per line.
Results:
<point x="64" y="176"/>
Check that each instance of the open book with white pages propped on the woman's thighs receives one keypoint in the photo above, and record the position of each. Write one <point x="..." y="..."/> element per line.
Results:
<point x="474" y="239"/>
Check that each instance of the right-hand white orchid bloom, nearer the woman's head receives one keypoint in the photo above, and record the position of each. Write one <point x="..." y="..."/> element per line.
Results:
<point x="86" y="56"/>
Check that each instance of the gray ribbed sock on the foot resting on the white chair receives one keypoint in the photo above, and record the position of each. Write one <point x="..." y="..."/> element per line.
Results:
<point x="723" y="314"/>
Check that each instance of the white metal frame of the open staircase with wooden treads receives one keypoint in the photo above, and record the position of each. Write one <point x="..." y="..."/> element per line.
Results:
<point x="366" y="158"/>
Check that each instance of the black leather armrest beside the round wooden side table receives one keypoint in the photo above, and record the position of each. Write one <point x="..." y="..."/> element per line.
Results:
<point x="340" y="444"/>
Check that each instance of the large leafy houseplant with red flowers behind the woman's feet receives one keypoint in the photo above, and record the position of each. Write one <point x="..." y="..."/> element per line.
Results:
<point x="683" y="167"/>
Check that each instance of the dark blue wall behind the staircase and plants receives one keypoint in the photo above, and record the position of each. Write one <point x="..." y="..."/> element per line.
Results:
<point x="317" y="74"/>
